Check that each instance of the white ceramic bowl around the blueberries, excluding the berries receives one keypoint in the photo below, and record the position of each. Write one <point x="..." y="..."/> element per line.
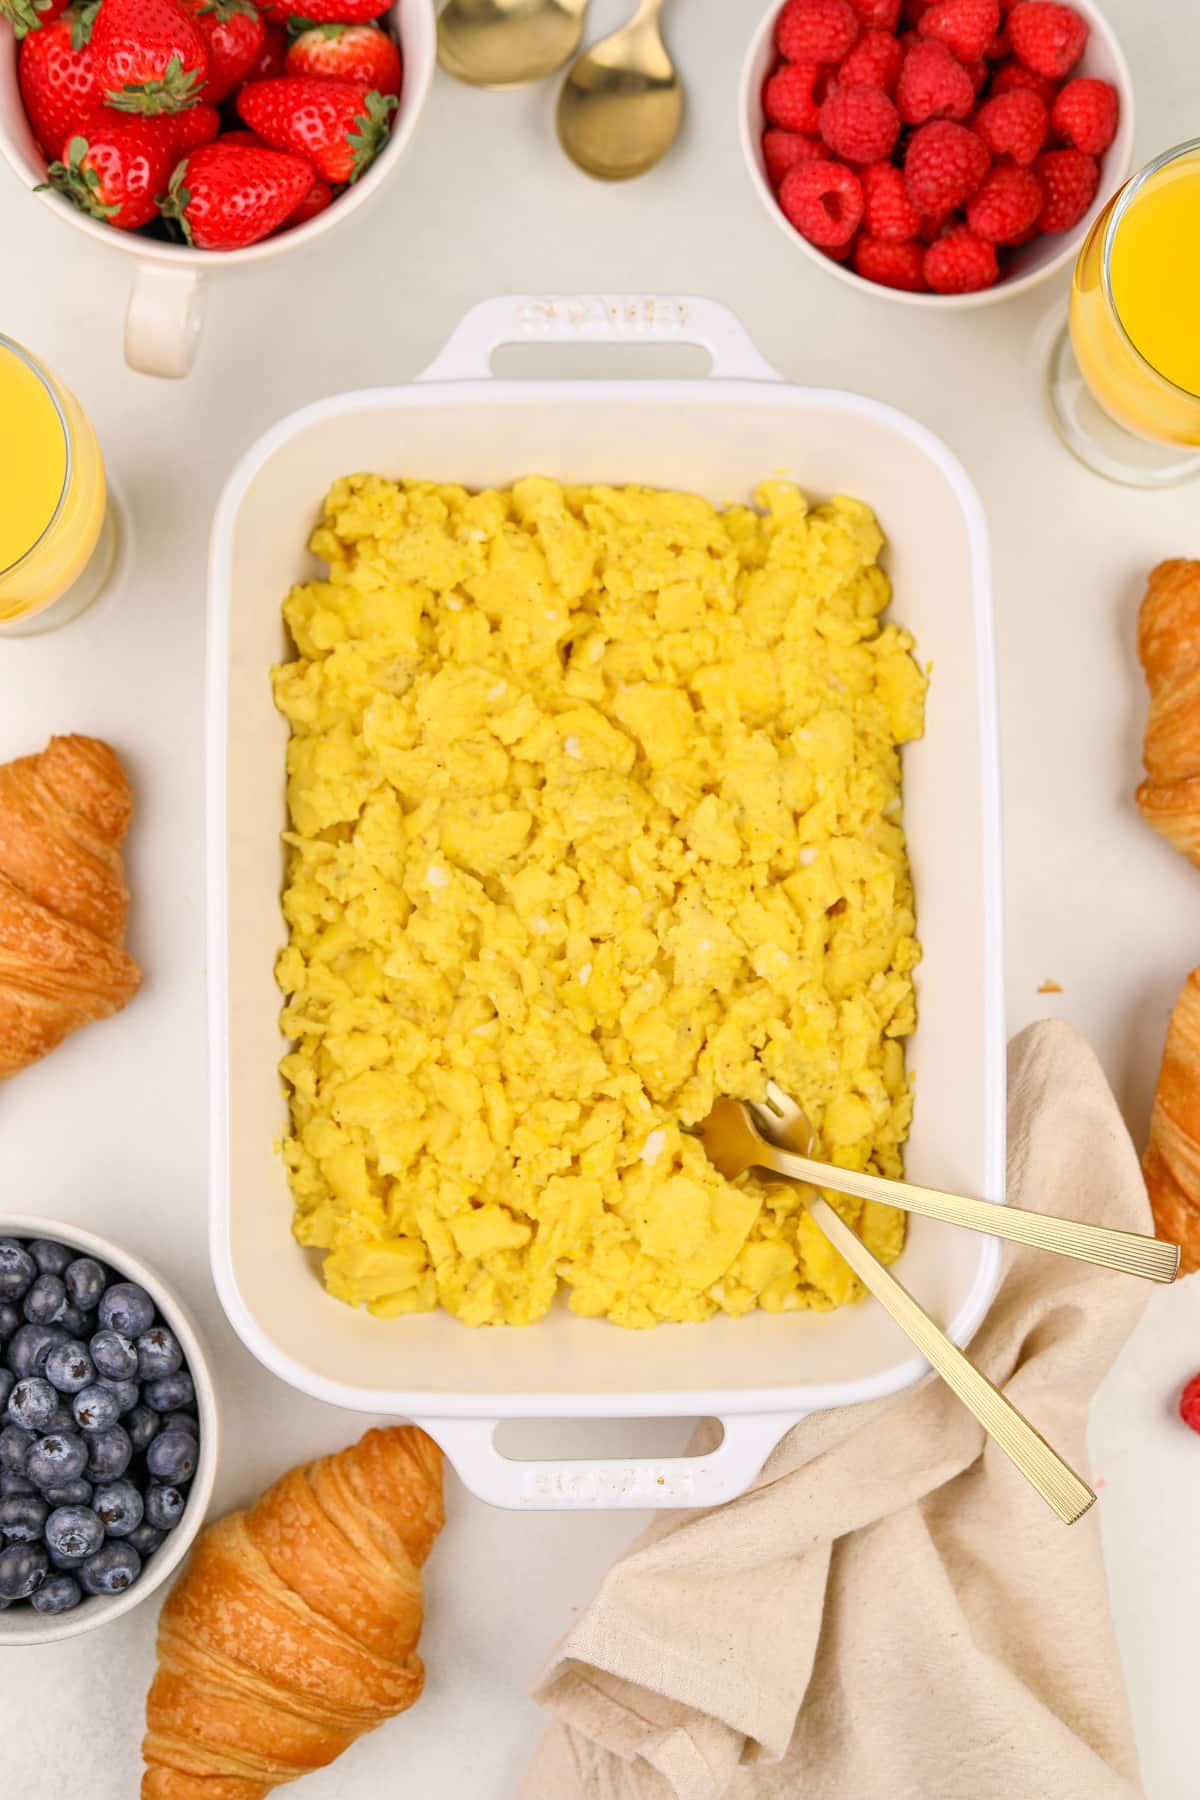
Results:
<point x="21" y="1624"/>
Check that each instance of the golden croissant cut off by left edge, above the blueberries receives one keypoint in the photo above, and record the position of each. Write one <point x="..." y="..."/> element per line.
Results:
<point x="64" y="901"/>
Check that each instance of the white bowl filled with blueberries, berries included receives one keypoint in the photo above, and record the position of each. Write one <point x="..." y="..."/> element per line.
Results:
<point x="107" y="1432"/>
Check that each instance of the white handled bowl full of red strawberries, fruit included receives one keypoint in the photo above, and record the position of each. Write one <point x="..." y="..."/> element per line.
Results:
<point x="208" y="134"/>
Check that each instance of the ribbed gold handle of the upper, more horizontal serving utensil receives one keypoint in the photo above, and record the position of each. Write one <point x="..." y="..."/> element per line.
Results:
<point x="1154" y="1259"/>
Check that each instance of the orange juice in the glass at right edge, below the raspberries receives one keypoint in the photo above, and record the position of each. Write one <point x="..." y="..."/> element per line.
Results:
<point x="1136" y="303"/>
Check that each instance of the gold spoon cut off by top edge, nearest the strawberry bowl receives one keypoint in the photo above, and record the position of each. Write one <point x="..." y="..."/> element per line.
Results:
<point x="501" y="44"/>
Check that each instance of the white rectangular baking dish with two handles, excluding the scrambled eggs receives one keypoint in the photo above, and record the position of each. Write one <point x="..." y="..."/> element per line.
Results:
<point x="717" y="436"/>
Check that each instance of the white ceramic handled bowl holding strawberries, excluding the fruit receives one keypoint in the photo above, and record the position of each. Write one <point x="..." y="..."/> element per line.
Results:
<point x="166" y="303"/>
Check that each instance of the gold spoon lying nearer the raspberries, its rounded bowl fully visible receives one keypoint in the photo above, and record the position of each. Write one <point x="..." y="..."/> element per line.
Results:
<point x="622" y="103"/>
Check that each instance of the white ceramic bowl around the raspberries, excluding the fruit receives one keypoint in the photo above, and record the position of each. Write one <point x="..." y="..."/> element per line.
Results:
<point x="1025" y="267"/>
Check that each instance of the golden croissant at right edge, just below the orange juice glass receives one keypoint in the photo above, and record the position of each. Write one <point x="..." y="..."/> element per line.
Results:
<point x="1169" y="645"/>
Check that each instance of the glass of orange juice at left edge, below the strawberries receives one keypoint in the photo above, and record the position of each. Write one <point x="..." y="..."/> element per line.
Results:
<point x="58" y="534"/>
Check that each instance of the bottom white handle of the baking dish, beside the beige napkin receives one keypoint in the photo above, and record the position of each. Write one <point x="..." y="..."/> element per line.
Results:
<point x="706" y="1480"/>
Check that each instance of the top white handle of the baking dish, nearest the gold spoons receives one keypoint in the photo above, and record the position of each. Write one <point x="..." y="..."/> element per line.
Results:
<point x="598" y="319"/>
